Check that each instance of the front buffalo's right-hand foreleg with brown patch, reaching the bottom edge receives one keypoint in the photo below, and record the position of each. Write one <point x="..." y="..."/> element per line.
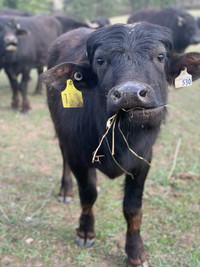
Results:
<point x="132" y="208"/>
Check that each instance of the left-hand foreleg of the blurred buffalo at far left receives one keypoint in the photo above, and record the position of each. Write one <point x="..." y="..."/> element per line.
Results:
<point x="15" y="88"/>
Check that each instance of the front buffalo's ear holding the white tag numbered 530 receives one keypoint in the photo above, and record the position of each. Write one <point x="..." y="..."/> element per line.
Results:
<point x="191" y="61"/>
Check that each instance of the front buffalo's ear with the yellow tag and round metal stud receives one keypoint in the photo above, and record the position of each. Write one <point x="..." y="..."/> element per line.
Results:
<point x="81" y="75"/>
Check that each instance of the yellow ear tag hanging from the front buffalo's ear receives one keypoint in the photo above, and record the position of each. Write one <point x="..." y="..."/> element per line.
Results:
<point x="71" y="97"/>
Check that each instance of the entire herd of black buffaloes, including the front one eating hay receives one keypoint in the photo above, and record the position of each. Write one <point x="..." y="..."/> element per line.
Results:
<point x="114" y="80"/>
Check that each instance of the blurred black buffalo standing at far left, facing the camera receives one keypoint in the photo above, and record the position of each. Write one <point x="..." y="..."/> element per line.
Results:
<point x="24" y="44"/>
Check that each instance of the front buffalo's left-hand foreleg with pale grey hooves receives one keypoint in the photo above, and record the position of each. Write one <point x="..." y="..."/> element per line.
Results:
<point x="86" y="179"/>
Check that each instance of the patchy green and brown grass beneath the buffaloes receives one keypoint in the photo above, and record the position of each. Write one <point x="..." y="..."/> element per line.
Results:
<point x="37" y="231"/>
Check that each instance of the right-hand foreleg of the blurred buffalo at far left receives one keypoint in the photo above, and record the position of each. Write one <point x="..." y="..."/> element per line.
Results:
<point x="23" y="89"/>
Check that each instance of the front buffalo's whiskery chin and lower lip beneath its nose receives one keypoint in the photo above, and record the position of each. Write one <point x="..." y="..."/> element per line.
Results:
<point x="145" y="118"/>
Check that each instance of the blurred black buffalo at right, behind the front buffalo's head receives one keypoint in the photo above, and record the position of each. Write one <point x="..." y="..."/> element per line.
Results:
<point x="182" y="24"/>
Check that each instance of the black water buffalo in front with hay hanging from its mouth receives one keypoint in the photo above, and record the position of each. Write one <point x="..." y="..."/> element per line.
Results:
<point x="122" y="73"/>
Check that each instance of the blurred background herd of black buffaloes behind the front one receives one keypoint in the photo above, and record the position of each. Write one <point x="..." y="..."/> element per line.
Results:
<point x="25" y="40"/>
